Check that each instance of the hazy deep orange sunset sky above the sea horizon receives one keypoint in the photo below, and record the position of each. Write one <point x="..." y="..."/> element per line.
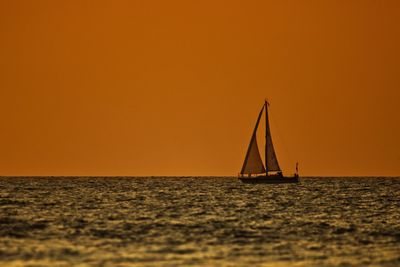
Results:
<point x="174" y="87"/>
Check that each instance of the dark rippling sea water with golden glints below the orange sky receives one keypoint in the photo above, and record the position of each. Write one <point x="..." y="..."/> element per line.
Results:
<point x="193" y="221"/>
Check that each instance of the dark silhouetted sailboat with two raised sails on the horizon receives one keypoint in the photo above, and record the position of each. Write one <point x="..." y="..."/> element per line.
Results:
<point x="254" y="170"/>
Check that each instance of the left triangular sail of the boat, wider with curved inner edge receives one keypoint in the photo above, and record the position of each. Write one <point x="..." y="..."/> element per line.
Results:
<point x="253" y="163"/>
